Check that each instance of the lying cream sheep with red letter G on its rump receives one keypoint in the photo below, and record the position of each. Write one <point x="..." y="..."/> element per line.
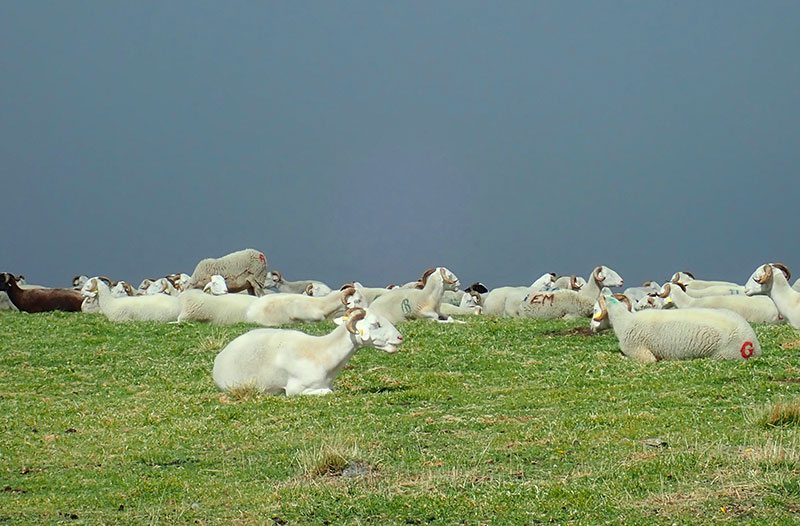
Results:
<point x="682" y="334"/>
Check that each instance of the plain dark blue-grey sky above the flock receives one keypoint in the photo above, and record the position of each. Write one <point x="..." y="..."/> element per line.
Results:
<point x="372" y="140"/>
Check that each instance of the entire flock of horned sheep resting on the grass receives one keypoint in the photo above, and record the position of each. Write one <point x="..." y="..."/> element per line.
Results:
<point x="683" y="319"/>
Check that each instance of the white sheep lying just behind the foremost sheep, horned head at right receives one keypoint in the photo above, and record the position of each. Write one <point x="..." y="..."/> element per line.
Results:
<point x="277" y="309"/>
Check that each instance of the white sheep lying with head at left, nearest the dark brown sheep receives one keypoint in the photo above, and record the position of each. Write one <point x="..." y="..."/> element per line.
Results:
<point x="159" y="307"/>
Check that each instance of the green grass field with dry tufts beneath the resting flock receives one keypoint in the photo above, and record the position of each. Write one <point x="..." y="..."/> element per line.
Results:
<point x="494" y="422"/>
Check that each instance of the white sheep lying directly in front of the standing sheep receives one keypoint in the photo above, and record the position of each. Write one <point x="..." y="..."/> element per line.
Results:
<point x="225" y="309"/>
